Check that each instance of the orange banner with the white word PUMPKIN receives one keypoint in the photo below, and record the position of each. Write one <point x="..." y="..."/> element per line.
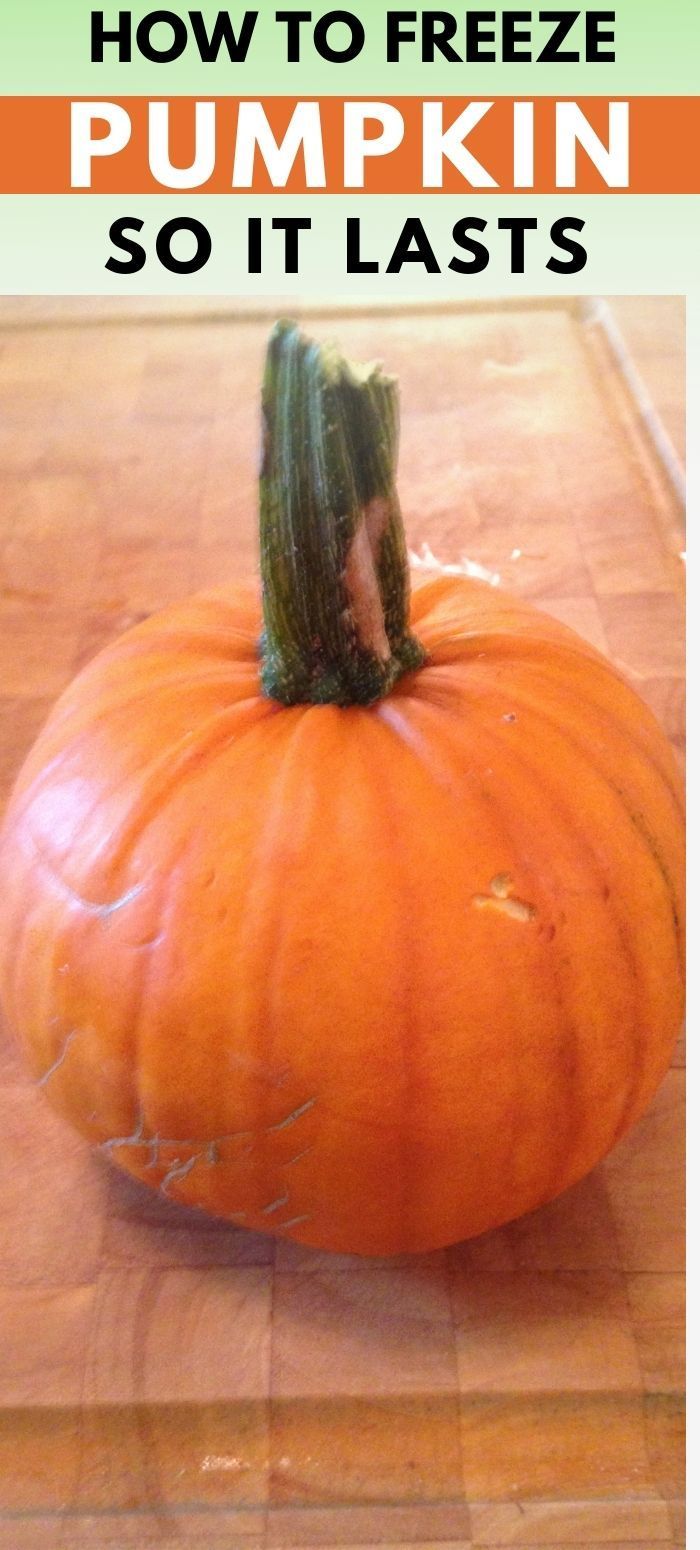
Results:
<point x="512" y="146"/>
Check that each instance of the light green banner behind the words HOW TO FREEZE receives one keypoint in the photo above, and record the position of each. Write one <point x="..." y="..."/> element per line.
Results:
<point x="46" y="49"/>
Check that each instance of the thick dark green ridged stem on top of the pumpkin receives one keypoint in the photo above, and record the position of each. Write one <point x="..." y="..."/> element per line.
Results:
<point x="334" y="560"/>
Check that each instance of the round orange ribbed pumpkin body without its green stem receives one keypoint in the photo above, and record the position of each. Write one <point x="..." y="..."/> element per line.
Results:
<point x="376" y="979"/>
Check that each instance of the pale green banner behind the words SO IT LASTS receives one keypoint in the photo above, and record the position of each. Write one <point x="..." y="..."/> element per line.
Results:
<point x="636" y="246"/>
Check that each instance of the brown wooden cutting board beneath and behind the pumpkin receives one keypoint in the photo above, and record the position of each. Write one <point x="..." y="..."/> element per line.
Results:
<point x="166" y="1380"/>
